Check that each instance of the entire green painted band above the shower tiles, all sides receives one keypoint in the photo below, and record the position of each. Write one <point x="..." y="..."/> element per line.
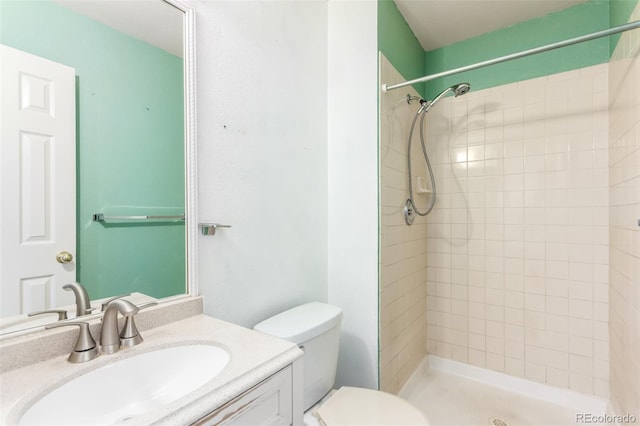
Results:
<point x="398" y="44"/>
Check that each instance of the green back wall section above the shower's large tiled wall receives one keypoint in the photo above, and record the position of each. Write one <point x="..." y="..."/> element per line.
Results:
<point x="575" y="21"/>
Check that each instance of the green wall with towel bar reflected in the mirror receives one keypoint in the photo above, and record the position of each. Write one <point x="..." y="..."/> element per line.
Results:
<point x="130" y="152"/>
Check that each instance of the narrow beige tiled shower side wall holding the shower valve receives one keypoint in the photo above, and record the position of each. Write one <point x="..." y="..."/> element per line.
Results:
<point x="403" y="249"/>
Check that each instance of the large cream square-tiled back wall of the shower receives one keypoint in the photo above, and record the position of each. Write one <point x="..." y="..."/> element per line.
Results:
<point x="518" y="256"/>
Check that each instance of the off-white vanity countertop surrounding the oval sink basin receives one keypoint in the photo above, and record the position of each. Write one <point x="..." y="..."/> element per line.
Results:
<point x="254" y="357"/>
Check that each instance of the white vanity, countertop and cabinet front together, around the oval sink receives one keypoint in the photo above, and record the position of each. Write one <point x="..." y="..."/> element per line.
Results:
<point x="261" y="385"/>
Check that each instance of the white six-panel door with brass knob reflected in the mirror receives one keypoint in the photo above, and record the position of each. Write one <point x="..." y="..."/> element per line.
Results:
<point x="37" y="181"/>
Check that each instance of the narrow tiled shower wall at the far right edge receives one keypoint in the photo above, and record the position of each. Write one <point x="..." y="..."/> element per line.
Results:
<point x="624" y="199"/>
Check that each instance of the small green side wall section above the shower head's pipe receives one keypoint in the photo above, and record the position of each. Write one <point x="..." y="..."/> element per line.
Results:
<point x="398" y="43"/>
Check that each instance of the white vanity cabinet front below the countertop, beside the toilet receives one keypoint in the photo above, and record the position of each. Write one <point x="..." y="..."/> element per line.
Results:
<point x="267" y="403"/>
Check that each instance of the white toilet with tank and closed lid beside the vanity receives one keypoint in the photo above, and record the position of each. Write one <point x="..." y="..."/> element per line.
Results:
<point x="315" y="327"/>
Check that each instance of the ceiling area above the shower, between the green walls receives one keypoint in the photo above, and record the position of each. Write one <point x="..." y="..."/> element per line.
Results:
<point x="438" y="23"/>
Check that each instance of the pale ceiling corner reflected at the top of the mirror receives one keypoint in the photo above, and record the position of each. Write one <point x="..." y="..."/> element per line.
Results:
<point x="155" y="22"/>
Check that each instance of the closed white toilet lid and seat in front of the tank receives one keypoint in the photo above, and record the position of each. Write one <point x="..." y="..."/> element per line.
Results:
<point x="350" y="406"/>
